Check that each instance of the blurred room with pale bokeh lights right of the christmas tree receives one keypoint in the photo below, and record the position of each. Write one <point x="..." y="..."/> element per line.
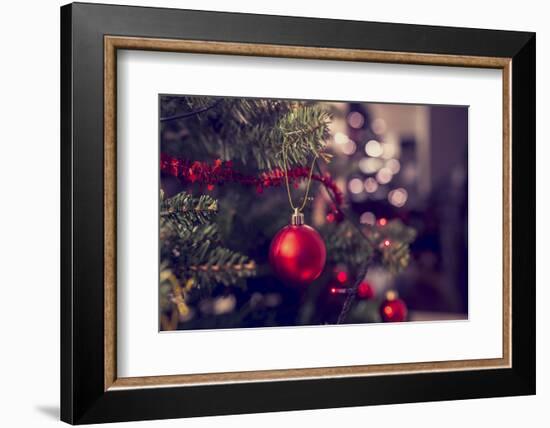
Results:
<point x="411" y="162"/>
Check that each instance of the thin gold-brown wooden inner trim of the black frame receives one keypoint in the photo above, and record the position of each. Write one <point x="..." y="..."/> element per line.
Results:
<point x="113" y="43"/>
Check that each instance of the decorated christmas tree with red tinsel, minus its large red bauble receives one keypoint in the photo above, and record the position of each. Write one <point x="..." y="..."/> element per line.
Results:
<point x="232" y="169"/>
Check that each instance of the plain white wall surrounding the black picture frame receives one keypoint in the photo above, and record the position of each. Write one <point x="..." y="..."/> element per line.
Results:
<point x="29" y="232"/>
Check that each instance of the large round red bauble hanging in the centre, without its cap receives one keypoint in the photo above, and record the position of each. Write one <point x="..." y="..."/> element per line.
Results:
<point x="297" y="254"/>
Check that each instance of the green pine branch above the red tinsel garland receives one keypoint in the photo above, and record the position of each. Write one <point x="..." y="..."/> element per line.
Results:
<point x="247" y="131"/>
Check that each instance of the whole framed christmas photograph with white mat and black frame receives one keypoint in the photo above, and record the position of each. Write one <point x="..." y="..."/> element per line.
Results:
<point x="265" y="213"/>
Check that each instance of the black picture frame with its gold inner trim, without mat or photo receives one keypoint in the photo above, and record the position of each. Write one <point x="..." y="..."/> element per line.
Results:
<point x="91" y="391"/>
